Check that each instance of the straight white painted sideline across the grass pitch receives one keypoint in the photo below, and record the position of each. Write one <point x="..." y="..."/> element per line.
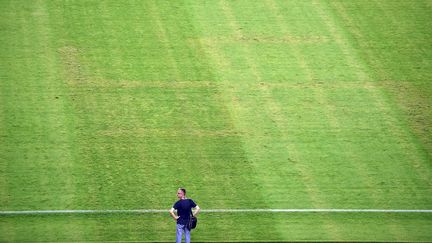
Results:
<point x="331" y="210"/>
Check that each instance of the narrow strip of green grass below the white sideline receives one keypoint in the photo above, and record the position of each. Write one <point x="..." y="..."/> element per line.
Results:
<point x="217" y="227"/>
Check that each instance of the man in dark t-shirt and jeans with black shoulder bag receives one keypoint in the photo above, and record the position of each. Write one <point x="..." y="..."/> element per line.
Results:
<point x="184" y="210"/>
